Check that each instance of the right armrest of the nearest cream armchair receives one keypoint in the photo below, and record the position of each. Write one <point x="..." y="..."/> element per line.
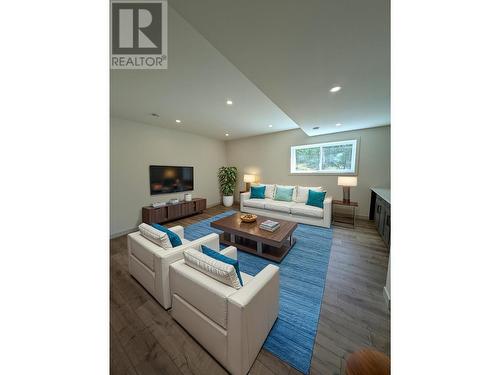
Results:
<point x="252" y="311"/>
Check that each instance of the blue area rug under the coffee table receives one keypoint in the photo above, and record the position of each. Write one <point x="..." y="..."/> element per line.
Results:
<point x="302" y="280"/>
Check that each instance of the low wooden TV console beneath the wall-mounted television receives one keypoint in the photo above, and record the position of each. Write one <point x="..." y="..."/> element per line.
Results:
<point x="173" y="211"/>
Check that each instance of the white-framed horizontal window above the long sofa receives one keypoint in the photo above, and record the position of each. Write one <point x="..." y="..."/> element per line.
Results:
<point x="328" y="158"/>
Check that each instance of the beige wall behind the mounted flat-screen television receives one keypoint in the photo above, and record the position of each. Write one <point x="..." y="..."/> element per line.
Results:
<point x="135" y="146"/>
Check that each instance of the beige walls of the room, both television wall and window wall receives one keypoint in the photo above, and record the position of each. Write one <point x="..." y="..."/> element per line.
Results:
<point x="135" y="146"/>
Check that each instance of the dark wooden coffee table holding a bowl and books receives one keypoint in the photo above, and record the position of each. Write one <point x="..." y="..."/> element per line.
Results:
<point x="250" y="238"/>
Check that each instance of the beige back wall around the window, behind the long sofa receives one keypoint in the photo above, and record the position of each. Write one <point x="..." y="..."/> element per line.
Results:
<point x="268" y="156"/>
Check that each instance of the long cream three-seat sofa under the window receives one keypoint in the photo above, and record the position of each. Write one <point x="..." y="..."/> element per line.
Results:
<point x="296" y="210"/>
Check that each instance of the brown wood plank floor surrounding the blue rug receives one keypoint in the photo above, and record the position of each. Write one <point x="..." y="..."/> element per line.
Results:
<point x="146" y="340"/>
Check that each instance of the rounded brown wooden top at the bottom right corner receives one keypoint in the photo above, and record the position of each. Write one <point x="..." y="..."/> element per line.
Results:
<point x="368" y="362"/>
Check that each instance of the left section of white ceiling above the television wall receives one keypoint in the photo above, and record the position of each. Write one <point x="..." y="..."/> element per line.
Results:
<point x="194" y="89"/>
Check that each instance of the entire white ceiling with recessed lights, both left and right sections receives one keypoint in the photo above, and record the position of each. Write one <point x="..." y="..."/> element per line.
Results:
<point x="275" y="59"/>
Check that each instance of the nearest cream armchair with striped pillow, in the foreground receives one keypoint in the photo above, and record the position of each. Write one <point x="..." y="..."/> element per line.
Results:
<point x="231" y="324"/>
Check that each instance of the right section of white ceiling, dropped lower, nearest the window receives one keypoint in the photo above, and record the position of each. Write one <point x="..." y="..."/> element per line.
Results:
<point x="296" y="50"/>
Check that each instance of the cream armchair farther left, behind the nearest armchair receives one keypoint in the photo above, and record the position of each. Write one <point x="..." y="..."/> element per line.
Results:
<point x="149" y="263"/>
